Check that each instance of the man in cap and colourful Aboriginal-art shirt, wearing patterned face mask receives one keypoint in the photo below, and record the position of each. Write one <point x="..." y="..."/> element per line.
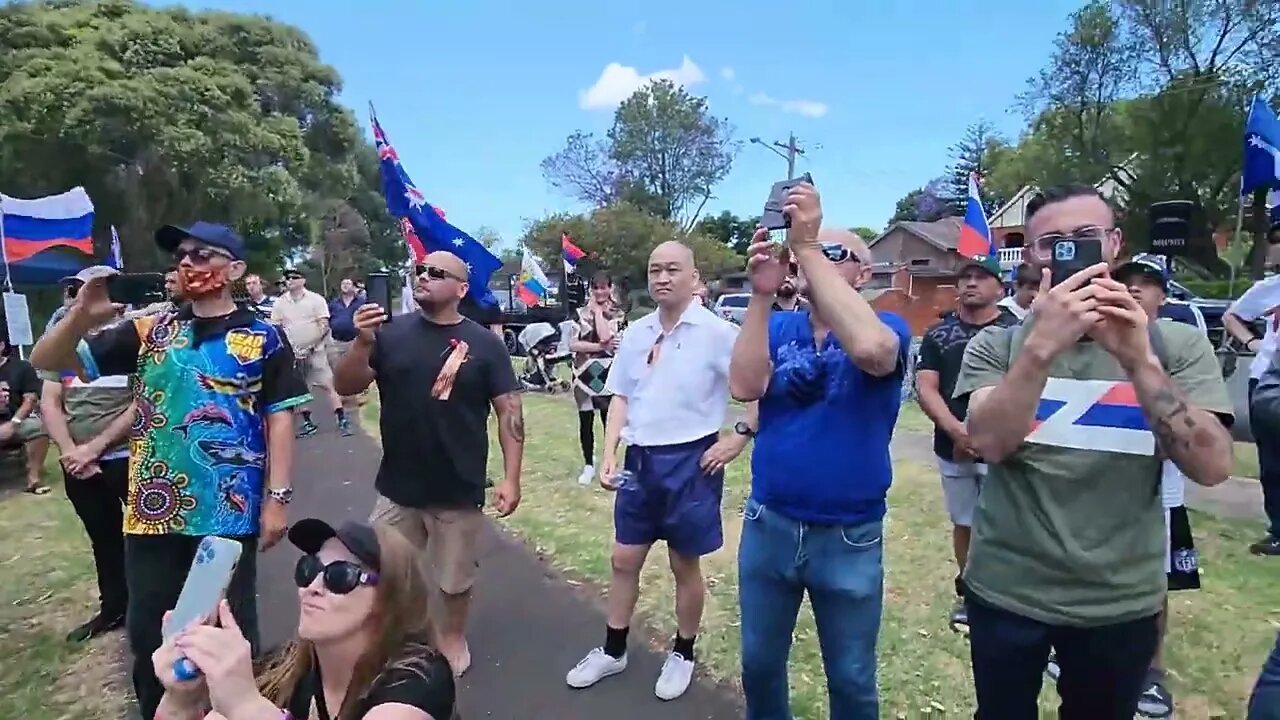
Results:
<point x="212" y="446"/>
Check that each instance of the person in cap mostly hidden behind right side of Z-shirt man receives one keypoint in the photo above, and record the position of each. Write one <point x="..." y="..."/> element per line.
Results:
<point x="1149" y="284"/>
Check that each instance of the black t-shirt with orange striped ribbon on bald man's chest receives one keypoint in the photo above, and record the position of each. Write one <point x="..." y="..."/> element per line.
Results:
<point x="435" y="452"/>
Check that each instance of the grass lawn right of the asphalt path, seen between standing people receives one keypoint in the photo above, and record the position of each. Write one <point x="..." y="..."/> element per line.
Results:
<point x="1219" y="639"/>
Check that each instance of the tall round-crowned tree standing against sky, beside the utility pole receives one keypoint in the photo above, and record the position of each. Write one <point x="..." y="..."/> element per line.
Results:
<point x="665" y="153"/>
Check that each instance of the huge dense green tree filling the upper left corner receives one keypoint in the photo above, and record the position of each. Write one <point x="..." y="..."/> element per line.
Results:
<point x="167" y="116"/>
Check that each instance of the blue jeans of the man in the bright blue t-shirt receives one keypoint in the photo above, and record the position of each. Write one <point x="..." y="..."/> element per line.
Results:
<point x="842" y="568"/>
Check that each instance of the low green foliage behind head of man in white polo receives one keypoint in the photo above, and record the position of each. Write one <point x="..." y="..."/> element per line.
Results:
<point x="620" y="239"/>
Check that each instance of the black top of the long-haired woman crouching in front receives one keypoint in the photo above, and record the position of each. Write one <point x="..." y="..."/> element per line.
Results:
<point x="424" y="682"/>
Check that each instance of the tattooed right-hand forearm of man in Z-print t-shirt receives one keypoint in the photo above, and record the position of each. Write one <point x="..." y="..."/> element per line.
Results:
<point x="1192" y="438"/>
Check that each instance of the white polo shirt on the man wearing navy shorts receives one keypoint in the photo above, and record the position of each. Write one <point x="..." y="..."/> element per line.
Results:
<point x="684" y="395"/>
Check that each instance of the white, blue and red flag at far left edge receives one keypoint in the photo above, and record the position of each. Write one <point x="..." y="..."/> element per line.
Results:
<point x="35" y="226"/>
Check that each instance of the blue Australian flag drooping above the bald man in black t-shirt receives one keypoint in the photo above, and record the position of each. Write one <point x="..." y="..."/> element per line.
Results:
<point x="405" y="200"/>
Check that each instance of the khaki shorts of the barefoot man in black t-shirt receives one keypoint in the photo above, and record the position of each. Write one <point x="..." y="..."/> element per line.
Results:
<point x="450" y="536"/>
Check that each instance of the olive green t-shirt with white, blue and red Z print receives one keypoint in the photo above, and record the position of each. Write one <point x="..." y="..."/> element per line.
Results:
<point x="1069" y="530"/>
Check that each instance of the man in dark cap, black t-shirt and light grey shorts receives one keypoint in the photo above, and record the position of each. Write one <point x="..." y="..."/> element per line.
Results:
<point x="941" y="353"/>
